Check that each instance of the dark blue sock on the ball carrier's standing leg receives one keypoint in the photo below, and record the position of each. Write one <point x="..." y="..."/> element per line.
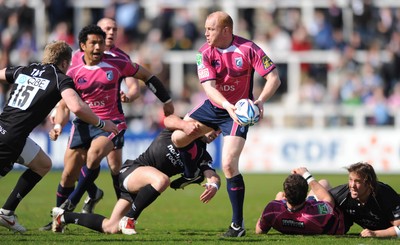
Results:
<point x="236" y="189"/>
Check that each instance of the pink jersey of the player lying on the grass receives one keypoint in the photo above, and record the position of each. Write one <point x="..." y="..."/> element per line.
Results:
<point x="315" y="217"/>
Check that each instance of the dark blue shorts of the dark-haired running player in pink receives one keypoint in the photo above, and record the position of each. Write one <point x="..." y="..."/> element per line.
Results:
<point x="82" y="134"/>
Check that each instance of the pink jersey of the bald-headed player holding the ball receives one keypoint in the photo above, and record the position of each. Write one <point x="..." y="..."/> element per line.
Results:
<point x="233" y="68"/>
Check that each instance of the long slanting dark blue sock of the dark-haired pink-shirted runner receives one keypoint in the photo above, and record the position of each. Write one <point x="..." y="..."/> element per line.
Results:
<point x="86" y="178"/>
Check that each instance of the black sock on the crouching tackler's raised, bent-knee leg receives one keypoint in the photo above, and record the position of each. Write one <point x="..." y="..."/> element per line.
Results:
<point x="144" y="198"/>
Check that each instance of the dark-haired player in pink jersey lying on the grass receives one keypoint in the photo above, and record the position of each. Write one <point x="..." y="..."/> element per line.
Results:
<point x="292" y="213"/>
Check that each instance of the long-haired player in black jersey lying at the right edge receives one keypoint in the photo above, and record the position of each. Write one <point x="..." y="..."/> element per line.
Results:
<point x="371" y="204"/>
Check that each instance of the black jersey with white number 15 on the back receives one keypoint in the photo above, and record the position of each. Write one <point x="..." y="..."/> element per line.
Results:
<point x="35" y="91"/>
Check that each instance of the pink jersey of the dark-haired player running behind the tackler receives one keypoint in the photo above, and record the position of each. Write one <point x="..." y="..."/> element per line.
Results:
<point x="99" y="85"/>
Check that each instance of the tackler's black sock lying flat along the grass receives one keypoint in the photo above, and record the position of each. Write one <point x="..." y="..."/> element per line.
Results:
<point x="91" y="221"/>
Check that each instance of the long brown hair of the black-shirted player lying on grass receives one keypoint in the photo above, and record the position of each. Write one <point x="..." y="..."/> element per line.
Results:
<point x="366" y="172"/>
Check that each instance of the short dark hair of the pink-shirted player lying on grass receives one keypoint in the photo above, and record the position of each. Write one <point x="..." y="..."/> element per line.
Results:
<point x="295" y="188"/>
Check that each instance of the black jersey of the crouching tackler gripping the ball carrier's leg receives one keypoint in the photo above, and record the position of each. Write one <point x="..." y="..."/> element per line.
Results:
<point x="164" y="156"/>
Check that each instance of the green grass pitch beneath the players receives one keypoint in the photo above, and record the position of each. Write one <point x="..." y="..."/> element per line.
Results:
<point x="176" y="217"/>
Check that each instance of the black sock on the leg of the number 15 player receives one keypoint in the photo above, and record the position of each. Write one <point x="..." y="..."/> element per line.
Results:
<point x="25" y="184"/>
